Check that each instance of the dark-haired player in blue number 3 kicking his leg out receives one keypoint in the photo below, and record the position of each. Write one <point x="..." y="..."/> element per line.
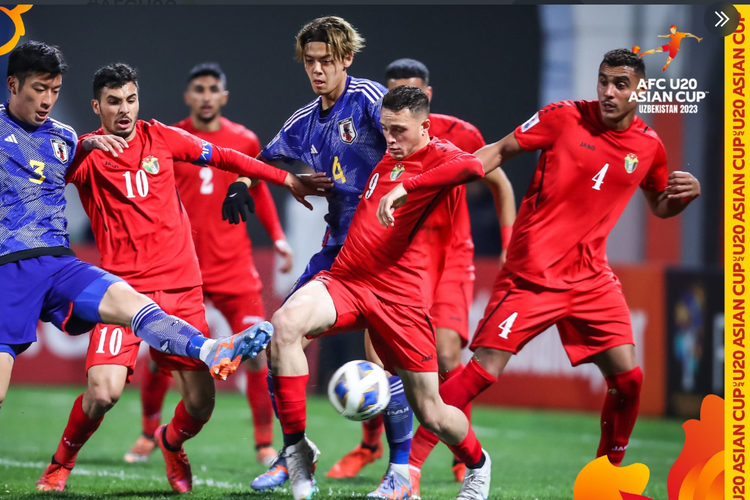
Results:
<point x="40" y="276"/>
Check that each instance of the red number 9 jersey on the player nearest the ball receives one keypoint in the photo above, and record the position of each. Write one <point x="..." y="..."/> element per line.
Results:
<point x="402" y="263"/>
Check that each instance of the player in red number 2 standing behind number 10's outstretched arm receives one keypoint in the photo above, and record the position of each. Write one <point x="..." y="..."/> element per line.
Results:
<point x="230" y="280"/>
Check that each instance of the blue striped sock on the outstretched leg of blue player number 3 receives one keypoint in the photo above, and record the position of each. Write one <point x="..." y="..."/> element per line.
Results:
<point x="167" y="333"/>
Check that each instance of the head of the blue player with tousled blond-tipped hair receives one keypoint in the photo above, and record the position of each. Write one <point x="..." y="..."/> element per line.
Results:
<point x="326" y="46"/>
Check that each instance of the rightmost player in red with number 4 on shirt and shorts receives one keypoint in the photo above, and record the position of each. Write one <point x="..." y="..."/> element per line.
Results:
<point x="595" y="154"/>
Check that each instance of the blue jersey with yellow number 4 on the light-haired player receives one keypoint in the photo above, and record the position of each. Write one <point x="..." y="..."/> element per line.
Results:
<point x="346" y="145"/>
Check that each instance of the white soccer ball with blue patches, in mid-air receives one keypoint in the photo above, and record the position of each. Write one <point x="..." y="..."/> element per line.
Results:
<point x="359" y="390"/>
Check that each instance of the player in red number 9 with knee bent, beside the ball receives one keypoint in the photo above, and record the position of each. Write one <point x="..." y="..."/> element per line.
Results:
<point x="384" y="279"/>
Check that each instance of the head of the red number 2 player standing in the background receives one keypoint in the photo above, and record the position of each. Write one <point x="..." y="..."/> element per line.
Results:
<point x="206" y="92"/>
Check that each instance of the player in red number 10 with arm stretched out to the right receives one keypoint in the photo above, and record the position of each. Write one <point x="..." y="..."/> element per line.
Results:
<point x="143" y="235"/>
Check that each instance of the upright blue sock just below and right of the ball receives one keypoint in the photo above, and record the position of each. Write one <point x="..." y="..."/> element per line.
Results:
<point x="398" y="419"/>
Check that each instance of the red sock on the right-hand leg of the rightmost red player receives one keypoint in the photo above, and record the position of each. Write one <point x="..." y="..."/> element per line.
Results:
<point x="619" y="413"/>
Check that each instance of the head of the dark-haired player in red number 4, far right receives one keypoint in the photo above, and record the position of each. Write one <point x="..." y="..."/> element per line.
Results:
<point x="619" y="74"/>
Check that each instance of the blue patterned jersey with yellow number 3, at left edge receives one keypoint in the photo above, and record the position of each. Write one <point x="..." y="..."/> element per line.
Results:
<point x="32" y="185"/>
